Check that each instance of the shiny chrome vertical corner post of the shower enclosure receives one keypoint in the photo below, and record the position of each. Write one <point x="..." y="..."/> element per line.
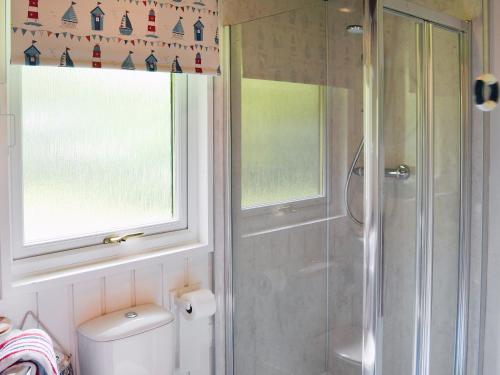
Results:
<point x="374" y="172"/>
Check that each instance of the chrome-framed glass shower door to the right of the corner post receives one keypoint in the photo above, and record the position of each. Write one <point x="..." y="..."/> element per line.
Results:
<point x="423" y="249"/>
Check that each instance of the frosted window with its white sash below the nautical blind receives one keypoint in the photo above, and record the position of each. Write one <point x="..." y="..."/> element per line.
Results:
<point x="104" y="153"/>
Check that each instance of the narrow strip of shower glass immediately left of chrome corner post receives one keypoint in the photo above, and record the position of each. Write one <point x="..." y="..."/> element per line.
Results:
<point x="345" y="247"/>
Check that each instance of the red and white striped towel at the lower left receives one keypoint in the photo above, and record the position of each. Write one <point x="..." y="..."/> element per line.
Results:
<point x="33" y="345"/>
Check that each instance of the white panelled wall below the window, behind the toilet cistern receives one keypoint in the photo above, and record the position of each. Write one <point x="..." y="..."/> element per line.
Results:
<point x="63" y="308"/>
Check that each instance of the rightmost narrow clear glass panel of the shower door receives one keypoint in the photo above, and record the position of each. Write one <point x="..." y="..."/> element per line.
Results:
<point x="447" y="176"/>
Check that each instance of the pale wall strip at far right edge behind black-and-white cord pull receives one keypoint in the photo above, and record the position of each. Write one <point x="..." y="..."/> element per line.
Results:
<point x="492" y="330"/>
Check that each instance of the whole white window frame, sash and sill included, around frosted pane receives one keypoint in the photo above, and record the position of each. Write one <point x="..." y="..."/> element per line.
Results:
<point x="191" y="231"/>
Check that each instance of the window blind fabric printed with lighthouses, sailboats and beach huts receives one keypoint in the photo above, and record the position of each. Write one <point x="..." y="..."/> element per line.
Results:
<point x="178" y="36"/>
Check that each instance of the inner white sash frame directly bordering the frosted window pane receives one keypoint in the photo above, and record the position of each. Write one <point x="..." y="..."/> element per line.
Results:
<point x="179" y="220"/>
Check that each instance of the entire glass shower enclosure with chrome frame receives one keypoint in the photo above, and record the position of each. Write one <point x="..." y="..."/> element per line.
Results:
<point x="348" y="259"/>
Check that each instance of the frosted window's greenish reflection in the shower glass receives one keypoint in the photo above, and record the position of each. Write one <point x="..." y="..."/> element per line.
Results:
<point x="281" y="141"/>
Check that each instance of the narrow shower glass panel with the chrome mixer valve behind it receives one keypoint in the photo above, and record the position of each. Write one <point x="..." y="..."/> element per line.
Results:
<point x="400" y="213"/>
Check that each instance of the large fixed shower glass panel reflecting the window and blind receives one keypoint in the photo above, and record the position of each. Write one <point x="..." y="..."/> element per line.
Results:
<point x="296" y="110"/>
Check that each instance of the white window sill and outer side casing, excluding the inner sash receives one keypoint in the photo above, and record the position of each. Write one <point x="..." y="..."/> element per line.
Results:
<point x="22" y="272"/>
